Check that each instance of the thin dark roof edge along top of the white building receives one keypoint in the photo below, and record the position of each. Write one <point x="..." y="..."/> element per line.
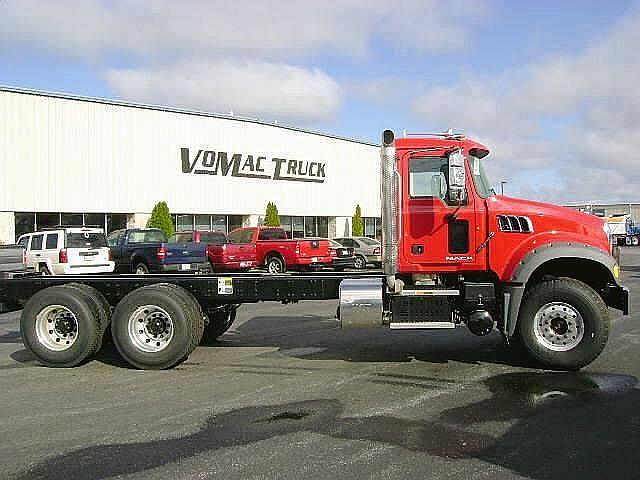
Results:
<point x="162" y="108"/>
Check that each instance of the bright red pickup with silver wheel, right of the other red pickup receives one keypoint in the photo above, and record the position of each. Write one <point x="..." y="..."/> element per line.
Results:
<point x="277" y="253"/>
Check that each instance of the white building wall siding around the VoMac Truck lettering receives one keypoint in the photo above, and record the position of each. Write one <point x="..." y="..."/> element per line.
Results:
<point x="68" y="155"/>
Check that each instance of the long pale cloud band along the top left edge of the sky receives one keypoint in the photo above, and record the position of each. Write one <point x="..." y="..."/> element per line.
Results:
<point x="256" y="28"/>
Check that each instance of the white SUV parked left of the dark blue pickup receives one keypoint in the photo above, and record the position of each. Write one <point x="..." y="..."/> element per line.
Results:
<point x="68" y="251"/>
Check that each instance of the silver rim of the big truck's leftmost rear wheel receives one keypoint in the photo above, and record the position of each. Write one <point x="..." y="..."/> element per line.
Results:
<point x="56" y="328"/>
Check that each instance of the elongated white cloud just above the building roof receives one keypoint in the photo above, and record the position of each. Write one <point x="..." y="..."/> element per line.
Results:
<point x="253" y="88"/>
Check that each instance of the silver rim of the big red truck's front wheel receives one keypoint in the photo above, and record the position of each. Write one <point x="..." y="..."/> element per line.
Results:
<point x="558" y="326"/>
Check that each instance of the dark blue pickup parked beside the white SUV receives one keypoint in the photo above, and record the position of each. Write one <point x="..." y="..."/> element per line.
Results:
<point x="145" y="250"/>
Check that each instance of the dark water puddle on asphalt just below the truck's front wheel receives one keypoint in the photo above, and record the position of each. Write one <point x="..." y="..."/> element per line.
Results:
<point x="517" y="395"/>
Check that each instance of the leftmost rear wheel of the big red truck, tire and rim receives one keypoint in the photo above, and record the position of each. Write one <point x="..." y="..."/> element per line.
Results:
<point x="60" y="326"/>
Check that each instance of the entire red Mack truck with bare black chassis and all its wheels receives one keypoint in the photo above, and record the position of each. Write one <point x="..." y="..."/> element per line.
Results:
<point x="454" y="254"/>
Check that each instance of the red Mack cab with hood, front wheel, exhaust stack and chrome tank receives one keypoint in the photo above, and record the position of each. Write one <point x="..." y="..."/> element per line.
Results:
<point x="455" y="253"/>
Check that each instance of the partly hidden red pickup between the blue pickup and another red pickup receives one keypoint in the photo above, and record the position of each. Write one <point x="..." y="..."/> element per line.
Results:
<point x="223" y="255"/>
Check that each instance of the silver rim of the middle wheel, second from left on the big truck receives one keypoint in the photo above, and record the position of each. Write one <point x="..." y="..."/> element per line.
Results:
<point x="150" y="328"/>
